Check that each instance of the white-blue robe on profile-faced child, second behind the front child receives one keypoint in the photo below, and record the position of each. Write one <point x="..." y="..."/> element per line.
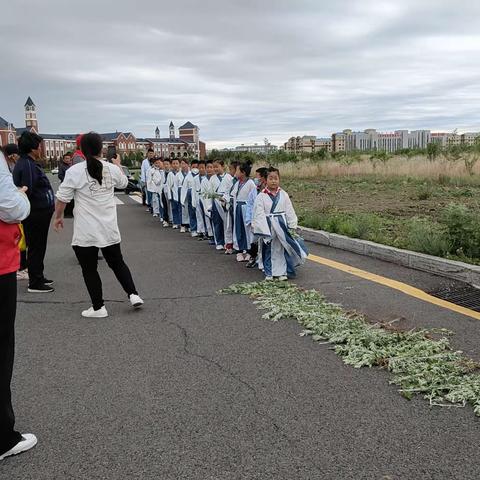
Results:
<point x="242" y="234"/>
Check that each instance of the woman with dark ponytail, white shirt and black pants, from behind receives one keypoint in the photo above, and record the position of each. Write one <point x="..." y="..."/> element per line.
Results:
<point x="95" y="225"/>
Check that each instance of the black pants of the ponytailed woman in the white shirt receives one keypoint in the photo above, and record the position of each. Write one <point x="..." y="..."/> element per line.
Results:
<point x="88" y="259"/>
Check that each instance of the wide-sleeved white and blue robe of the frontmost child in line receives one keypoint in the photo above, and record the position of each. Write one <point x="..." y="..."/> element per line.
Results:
<point x="273" y="218"/>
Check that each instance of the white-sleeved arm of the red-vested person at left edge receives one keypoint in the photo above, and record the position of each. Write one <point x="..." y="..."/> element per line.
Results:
<point x="14" y="204"/>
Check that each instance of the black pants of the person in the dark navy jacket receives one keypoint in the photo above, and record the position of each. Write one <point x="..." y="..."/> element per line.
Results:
<point x="36" y="228"/>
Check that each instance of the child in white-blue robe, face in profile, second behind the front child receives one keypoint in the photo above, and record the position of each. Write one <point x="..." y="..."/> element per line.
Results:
<point x="242" y="236"/>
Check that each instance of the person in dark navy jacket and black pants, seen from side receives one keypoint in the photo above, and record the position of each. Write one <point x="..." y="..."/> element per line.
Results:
<point x="29" y="173"/>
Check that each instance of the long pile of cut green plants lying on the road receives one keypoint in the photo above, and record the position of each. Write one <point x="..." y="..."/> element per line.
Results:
<point x="421" y="361"/>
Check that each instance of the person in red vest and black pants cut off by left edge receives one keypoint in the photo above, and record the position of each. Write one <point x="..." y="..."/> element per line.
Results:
<point x="14" y="207"/>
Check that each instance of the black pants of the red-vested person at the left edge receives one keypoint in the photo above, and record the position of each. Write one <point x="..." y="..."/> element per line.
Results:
<point x="8" y="306"/>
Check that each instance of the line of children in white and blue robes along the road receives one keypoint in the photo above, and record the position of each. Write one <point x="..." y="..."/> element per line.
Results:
<point x="253" y="218"/>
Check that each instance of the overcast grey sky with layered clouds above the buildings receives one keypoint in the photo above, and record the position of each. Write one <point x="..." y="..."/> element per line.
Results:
<point x="242" y="70"/>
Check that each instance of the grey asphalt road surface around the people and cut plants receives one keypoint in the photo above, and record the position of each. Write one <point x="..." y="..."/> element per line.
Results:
<point x="197" y="386"/>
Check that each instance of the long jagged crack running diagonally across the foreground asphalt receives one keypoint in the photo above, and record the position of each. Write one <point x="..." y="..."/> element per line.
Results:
<point x="187" y="343"/>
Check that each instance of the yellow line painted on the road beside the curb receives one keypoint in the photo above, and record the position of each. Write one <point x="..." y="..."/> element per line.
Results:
<point x="402" y="287"/>
